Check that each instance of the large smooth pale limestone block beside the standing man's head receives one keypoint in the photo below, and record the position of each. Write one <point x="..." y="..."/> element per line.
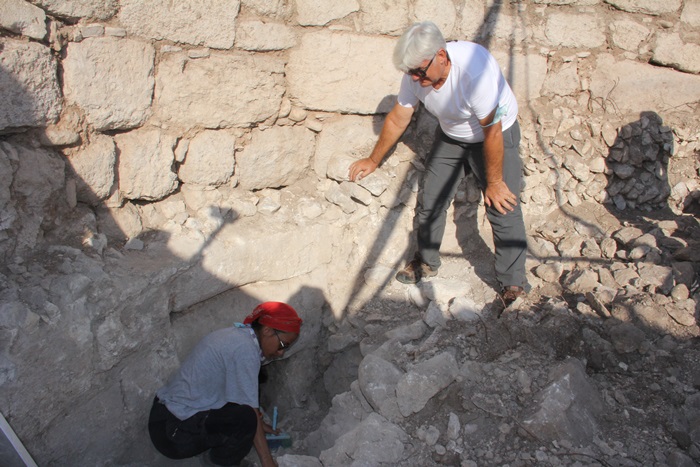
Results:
<point x="348" y="59"/>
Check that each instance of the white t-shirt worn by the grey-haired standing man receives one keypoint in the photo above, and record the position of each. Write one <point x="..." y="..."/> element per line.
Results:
<point x="475" y="86"/>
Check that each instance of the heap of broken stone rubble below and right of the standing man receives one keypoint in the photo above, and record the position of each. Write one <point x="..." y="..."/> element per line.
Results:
<point x="598" y="368"/>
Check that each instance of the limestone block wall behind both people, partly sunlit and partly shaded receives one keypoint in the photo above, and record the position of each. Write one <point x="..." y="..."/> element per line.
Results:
<point x="164" y="166"/>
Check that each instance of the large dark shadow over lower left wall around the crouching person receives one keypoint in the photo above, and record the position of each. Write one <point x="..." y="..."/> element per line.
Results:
<point x="88" y="332"/>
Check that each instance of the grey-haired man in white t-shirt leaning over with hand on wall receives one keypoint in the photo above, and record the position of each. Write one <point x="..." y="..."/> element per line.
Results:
<point x="461" y="84"/>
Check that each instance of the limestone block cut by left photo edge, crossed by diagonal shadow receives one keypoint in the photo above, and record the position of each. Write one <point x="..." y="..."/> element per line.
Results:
<point x="30" y="82"/>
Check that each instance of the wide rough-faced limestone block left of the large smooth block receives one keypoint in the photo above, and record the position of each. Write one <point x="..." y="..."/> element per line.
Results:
<point x="219" y="91"/>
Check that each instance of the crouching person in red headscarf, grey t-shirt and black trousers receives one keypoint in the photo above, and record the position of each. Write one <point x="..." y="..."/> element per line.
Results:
<point x="212" y="402"/>
